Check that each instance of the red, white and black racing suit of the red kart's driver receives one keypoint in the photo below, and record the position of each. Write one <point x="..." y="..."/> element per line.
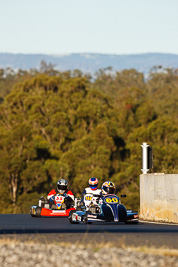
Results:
<point x="68" y="198"/>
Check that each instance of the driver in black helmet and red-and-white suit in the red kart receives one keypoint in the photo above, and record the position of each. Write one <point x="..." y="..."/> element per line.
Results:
<point x="61" y="190"/>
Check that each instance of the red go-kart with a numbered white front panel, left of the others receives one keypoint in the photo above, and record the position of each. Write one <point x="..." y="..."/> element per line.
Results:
<point x="55" y="208"/>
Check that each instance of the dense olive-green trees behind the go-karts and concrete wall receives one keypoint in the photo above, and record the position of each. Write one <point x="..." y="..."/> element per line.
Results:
<point x="66" y="125"/>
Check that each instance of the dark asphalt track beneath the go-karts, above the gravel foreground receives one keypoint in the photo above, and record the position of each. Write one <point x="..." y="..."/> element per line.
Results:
<point x="25" y="227"/>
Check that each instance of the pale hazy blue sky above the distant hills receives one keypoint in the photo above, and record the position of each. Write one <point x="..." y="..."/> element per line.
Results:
<point x="89" y="26"/>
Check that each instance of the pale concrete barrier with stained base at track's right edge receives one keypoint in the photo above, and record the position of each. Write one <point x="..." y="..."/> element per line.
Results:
<point x="159" y="197"/>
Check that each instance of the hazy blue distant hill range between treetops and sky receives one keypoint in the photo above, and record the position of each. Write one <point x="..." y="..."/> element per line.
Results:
<point x="88" y="62"/>
